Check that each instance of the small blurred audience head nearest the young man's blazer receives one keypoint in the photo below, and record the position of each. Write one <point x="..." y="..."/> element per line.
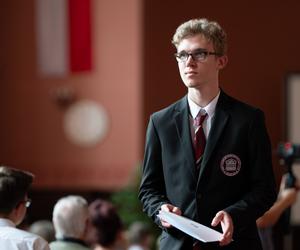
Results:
<point x="139" y="236"/>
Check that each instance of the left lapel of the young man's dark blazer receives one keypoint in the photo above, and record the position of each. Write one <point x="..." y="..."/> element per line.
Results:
<point x="181" y="118"/>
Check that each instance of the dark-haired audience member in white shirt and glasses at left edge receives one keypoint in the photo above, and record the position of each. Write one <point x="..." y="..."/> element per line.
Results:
<point x="14" y="201"/>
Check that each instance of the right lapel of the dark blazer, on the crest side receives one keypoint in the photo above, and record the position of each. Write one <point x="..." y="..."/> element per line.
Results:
<point x="218" y="125"/>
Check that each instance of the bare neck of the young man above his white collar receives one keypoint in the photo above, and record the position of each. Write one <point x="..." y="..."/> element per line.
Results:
<point x="203" y="96"/>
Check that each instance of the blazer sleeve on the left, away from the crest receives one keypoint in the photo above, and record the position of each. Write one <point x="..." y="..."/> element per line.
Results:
<point x="152" y="188"/>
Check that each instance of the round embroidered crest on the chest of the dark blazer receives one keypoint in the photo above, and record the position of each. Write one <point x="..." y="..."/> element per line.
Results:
<point x="230" y="164"/>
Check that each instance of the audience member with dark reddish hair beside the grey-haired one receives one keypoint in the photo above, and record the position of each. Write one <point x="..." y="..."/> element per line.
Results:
<point x="106" y="228"/>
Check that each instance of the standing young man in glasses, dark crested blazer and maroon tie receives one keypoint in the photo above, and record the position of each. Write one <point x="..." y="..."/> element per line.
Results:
<point x="208" y="155"/>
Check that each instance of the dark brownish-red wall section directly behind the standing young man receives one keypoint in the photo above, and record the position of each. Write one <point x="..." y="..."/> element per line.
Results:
<point x="263" y="47"/>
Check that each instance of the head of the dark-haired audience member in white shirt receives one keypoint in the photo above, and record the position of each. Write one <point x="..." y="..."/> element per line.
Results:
<point x="14" y="186"/>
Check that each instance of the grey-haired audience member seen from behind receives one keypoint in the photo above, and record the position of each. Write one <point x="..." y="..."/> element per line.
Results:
<point x="70" y="220"/>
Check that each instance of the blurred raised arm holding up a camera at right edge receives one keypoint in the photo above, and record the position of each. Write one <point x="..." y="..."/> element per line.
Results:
<point x="285" y="199"/>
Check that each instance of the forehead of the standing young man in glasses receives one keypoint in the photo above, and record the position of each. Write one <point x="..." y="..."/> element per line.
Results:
<point x="195" y="42"/>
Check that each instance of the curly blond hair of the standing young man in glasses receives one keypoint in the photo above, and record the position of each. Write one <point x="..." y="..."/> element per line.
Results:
<point x="211" y="30"/>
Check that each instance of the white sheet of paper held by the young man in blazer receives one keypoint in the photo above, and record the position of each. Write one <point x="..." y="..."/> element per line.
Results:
<point x="190" y="227"/>
